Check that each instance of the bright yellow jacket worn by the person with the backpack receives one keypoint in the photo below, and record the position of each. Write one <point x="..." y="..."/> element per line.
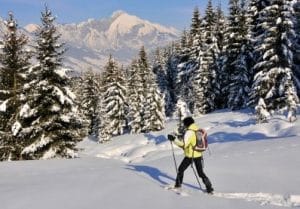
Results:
<point x="189" y="142"/>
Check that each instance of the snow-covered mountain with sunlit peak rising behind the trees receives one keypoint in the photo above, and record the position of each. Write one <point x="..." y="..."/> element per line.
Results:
<point x="89" y="43"/>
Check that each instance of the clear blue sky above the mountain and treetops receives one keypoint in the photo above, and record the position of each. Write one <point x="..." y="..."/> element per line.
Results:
<point x="176" y="13"/>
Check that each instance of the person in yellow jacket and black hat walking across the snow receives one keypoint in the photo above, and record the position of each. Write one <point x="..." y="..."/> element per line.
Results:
<point x="187" y="144"/>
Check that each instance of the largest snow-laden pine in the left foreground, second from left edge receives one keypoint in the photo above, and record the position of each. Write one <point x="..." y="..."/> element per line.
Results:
<point x="49" y="122"/>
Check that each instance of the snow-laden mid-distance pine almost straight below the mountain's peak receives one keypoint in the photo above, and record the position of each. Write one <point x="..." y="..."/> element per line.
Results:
<point x="113" y="101"/>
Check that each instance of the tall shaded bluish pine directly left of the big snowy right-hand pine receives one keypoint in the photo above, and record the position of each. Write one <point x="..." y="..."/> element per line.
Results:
<point x="242" y="72"/>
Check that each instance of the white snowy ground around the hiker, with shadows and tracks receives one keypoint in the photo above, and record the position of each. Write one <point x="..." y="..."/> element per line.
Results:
<point x="251" y="166"/>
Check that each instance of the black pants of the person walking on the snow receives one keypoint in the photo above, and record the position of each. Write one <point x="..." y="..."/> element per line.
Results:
<point x="185" y="164"/>
